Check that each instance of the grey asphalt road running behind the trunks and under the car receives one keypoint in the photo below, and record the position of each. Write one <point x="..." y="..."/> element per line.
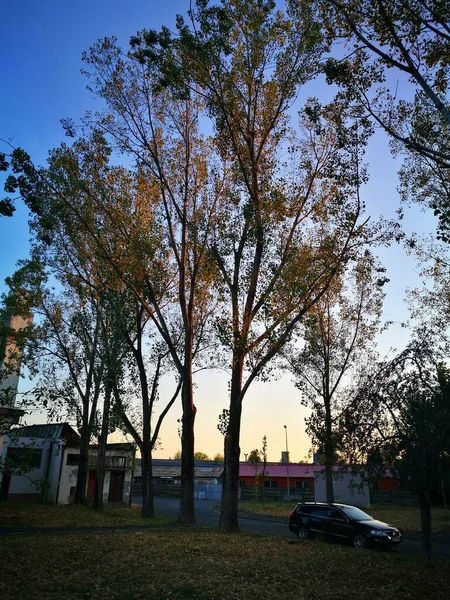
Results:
<point x="168" y="507"/>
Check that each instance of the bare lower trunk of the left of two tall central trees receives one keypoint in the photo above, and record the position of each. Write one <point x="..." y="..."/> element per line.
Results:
<point x="187" y="510"/>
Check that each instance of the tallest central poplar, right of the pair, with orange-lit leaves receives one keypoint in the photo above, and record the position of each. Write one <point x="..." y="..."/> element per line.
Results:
<point x="288" y="227"/>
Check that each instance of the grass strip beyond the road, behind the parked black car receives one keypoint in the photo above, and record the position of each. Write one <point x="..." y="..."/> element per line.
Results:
<point x="406" y="518"/>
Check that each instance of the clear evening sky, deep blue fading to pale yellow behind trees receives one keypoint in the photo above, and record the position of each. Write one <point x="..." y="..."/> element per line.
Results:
<point x="41" y="45"/>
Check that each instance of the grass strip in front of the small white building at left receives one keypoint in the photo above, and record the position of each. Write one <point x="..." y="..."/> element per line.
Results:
<point x="71" y="515"/>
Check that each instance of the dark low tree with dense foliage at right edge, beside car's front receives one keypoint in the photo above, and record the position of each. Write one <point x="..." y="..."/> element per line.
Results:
<point x="400" y="420"/>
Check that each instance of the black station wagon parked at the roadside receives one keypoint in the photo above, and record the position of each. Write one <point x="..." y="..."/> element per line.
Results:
<point x="342" y="522"/>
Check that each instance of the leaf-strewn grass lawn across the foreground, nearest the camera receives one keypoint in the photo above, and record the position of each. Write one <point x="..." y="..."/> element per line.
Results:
<point x="200" y="564"/>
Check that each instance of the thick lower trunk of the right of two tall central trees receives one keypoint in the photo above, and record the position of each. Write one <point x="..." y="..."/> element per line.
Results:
<point x="230" y="487"/>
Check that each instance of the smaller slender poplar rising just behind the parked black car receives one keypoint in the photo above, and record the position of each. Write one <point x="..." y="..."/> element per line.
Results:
<point x="333" y="352"/>
